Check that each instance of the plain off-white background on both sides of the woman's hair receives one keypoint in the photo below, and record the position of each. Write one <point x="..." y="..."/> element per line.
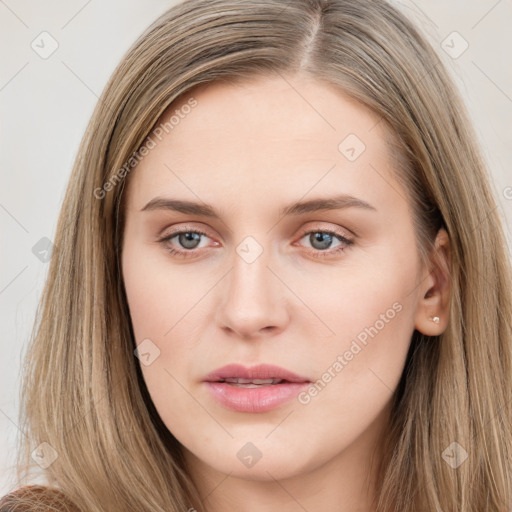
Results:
<point x="46" y="103"/>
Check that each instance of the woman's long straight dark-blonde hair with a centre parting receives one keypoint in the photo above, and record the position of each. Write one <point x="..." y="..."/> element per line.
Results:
<point x="83" y="391"/>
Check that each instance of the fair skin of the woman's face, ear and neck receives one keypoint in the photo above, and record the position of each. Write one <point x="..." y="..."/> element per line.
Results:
<point x="249" y="150"/>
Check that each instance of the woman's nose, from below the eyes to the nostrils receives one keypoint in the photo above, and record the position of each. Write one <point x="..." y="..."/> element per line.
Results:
<point x="253" y="300"/>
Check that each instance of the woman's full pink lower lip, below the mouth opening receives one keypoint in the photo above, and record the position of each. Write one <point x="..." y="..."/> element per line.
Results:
<point x="260" y="399"/>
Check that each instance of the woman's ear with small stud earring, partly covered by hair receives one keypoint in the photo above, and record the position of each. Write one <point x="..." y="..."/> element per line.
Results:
<point x="435" y="289"/>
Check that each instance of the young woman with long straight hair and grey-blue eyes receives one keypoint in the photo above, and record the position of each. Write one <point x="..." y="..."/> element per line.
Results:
<point x="279" y="281"/>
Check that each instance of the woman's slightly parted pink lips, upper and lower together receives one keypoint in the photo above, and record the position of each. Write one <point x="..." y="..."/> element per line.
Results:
<point x="254" y="400"/>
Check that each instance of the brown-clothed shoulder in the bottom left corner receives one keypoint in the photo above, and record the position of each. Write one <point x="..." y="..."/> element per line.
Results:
<point x="36" y="498"/>
